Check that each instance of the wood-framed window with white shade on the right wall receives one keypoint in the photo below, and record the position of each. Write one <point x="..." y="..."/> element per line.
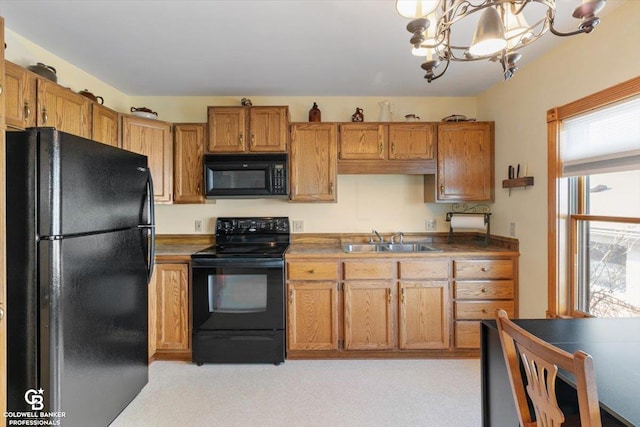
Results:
<point x="594" y="205"/>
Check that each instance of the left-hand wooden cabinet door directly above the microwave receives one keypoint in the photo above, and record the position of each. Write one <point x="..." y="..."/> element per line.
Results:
<point x="227" y="129"/>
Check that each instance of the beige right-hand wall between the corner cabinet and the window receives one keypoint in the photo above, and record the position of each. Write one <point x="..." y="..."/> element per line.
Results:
<point x="584" y="64"/>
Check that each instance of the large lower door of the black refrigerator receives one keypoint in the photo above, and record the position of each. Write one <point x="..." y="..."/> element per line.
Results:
<point x="93" y="323"/>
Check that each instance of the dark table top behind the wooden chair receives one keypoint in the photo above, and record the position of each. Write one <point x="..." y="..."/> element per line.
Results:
<point x="614" y="345"/>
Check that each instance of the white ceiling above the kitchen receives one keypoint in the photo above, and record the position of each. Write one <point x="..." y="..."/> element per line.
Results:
<point x="252" y="47"/>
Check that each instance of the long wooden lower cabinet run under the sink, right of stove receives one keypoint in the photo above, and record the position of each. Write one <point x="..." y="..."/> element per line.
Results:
<point x="391" y="306"/>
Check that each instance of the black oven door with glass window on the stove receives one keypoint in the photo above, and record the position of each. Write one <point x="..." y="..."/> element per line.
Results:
<point x="238" y="294"/>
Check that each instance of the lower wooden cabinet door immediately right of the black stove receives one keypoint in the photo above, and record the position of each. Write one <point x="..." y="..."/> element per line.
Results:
<point x="312" y="316"/>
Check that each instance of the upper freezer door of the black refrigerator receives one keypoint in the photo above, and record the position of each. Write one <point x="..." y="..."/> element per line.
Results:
<point x="85" y="186"/>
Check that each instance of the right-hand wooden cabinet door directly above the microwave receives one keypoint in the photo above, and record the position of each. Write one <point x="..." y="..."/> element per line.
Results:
<point x="268" y="129"/>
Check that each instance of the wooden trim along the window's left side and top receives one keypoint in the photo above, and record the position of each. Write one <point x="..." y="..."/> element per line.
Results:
<point x="559" y="271"/>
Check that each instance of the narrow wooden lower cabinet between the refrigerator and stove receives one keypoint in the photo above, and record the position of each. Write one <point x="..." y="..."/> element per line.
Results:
<point x="169" y="325"/>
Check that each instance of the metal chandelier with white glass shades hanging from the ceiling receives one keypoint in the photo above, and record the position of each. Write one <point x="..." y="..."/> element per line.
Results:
<point x="501" y="29"/>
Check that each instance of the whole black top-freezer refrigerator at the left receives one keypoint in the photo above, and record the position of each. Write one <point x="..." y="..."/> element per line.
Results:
<point x="80" y="238"/>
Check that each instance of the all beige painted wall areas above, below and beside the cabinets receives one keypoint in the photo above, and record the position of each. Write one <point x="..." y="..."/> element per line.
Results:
<point x="582" y="65"/>
